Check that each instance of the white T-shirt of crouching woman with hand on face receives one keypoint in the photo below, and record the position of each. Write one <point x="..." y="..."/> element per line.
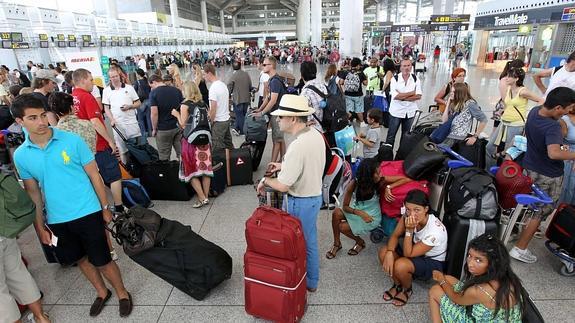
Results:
<point x="434" y="235"/>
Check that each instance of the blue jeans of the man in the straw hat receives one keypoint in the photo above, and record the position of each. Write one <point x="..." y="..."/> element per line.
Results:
<point x="306" y="209"/>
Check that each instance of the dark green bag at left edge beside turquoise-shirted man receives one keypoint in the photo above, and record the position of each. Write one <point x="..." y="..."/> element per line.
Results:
<point x="17" y="210"/>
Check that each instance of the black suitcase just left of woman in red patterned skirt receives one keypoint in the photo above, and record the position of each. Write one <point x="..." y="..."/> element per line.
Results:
<point x="161" y="181"/>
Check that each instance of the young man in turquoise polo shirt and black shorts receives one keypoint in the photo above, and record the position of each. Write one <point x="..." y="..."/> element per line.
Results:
<point x="60" y="165"/>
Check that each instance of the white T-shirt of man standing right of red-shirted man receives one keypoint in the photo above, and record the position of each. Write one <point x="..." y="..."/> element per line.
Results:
<point x="116" y="99"/>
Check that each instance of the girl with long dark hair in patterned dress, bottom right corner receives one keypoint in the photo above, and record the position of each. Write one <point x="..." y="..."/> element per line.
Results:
<point x="490" y="291"/>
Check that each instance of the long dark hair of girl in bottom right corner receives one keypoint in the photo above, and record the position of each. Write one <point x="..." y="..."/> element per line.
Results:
<point x="498" y="269"/>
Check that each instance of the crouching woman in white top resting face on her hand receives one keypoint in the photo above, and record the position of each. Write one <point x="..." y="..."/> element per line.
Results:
<point x="423" y="249"/>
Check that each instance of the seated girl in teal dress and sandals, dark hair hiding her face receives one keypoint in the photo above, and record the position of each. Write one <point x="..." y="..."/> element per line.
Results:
<point x="360" y="212"/>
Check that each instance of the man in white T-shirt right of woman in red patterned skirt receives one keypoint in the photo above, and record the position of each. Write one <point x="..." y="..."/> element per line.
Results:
<point x="219" y="113"/>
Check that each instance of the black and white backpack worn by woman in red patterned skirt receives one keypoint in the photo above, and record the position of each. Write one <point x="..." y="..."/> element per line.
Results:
<point x="197" y="129"/>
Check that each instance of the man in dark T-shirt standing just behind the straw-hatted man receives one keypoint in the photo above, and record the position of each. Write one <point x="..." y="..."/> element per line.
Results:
<point x="277" y="89"/>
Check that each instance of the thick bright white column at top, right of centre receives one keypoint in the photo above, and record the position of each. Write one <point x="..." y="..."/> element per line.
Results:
<point x="350" y="28"/>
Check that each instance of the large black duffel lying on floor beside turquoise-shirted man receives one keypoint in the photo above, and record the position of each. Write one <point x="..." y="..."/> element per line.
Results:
<point x="187" y="261"/>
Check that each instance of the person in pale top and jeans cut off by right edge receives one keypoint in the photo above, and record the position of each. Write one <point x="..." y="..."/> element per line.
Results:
<point x="568" y="191"/>
